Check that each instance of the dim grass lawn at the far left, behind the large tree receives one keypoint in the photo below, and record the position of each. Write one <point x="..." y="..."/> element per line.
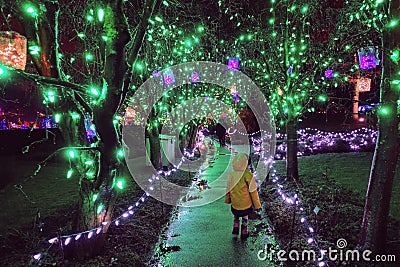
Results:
<point x="48" y="192"/>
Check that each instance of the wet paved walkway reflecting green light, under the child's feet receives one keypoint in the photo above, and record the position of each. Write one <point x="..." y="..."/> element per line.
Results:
<point x="201" y="235"/>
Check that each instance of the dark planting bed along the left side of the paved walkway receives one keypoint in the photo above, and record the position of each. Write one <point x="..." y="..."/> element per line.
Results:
<point x="130" y="244"/>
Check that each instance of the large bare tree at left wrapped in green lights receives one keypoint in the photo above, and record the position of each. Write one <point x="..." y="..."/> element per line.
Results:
<point x="83" y="51"/>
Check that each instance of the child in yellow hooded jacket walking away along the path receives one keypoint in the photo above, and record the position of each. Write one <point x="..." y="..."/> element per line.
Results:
<point x="241" y="194"/>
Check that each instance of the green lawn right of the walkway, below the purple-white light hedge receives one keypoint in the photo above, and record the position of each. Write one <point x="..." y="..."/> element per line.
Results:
<point x="348" y="169"/>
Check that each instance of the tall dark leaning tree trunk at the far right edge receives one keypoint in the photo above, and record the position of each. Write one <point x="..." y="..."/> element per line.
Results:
<point x="376" y="211"/>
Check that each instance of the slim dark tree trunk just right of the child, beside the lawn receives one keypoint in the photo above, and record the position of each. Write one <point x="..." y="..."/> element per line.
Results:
<point x="292" y="172"/>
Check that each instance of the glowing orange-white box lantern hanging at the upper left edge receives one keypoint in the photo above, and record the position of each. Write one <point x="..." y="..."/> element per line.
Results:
<point x="12" y="49"/>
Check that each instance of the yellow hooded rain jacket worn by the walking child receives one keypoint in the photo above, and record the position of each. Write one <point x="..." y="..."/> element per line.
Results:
<point x="241" y="187"/>
